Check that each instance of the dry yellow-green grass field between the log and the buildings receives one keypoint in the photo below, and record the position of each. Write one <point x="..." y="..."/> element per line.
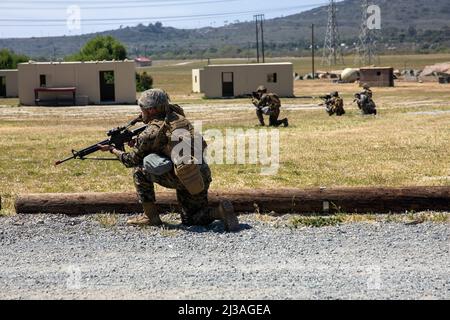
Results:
<point x="408" y="144"/>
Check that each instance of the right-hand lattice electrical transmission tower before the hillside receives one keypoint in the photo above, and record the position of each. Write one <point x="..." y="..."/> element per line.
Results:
<point x="366" y="49"/>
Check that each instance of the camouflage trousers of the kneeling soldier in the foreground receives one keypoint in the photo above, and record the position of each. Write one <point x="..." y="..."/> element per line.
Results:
<point x="195" y="210"/>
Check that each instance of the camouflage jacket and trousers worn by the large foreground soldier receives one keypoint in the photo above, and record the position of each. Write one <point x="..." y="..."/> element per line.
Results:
<point x="195" y="209"/>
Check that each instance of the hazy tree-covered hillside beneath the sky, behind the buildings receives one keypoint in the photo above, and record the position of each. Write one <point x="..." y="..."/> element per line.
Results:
<point x="421" y="25"/>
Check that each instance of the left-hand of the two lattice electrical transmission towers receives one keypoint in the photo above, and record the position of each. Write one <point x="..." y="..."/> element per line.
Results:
<point x="332" y="52"/>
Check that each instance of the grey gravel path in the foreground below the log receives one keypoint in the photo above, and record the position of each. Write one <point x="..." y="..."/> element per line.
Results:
<point x="77" y="257"/>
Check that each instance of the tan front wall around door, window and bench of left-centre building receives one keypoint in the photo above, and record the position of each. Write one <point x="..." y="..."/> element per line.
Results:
<point x="85" y="76"/>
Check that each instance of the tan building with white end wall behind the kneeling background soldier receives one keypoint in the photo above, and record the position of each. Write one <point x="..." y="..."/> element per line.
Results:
<point x="234" y="80"/>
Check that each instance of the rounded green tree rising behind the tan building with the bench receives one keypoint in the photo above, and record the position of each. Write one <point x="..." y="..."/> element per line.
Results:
<point x="100" y="48"/>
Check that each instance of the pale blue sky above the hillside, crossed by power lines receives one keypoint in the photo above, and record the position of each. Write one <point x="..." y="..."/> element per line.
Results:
<point x="28" y="18"/>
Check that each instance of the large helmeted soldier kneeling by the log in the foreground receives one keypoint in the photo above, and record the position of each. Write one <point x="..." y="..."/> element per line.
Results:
<point x="154" y="162"/>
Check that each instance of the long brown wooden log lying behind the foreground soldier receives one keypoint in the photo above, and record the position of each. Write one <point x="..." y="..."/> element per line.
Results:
<point x="317" y="200"/>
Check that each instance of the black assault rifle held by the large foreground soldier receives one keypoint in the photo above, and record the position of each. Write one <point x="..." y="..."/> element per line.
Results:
<point x="117" y="138"/>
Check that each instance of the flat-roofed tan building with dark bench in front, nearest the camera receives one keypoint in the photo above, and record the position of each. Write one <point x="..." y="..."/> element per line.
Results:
<point x="77" y="83"/>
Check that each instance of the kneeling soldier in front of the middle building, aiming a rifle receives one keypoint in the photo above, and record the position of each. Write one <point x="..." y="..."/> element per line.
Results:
<point x="268" y="104"/>
